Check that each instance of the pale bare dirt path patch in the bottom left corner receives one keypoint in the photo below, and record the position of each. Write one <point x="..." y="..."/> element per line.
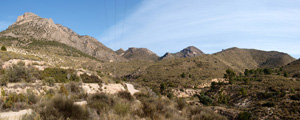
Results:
<point x="14" y="115"/>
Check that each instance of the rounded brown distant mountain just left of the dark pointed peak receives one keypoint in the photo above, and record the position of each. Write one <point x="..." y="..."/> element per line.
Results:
<point x="140" y="54"/>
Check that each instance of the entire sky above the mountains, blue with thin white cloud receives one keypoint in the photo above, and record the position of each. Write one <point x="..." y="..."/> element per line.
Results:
<point x="171" y="25"/>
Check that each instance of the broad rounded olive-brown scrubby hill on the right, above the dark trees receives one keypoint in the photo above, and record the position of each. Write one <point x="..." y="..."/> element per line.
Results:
<point x="195" y="70"/>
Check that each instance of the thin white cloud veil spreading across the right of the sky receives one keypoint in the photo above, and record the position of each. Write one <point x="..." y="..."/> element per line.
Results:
<point x="170" y="25"/>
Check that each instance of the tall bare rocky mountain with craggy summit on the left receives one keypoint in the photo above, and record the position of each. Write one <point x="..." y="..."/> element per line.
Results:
<point x="31" y="26"/>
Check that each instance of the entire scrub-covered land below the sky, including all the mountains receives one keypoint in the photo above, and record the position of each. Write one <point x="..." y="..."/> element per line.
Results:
<point x="49" y="72"/>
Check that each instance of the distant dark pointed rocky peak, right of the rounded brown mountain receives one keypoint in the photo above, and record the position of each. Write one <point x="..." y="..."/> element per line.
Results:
<point x="190" y="51"/>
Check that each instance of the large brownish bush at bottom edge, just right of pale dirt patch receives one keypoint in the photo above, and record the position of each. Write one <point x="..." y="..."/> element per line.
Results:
<point x="61" y="107"/>
